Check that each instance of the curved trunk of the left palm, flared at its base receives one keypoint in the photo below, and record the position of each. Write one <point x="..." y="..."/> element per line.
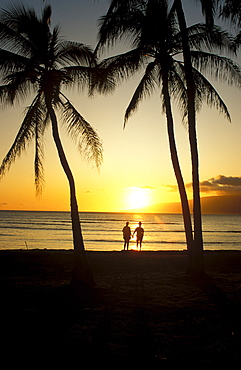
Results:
<point x="81" y="273"/>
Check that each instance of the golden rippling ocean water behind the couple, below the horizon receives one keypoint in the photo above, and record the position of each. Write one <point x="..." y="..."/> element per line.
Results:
<point x="103" y="231"/>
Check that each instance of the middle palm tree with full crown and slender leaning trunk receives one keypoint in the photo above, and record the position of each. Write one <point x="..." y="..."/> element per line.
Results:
<point x="157" y="42"/>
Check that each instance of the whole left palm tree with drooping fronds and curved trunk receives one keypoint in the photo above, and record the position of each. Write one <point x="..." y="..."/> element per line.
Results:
<point x="36" y="61"/>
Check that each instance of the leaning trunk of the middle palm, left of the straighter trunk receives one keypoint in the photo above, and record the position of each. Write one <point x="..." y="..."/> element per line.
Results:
<point x="177" y="170"/>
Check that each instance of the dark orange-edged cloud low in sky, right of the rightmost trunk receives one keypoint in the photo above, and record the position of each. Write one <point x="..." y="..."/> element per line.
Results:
<point x="221" y="185"/>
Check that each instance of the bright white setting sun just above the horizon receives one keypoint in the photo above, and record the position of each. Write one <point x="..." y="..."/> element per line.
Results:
<point x="138" y="197"/>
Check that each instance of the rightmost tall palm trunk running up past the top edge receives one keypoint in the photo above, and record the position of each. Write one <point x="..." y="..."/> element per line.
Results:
<point x="198" y="265"/>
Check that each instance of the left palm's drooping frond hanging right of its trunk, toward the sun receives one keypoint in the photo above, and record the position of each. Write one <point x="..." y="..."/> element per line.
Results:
<point x="88" y="141"/>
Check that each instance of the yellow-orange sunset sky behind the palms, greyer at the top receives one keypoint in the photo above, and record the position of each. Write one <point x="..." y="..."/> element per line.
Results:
<point x="136" y="169"/>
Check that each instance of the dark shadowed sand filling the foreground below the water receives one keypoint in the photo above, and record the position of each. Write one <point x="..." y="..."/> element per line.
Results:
<point x="145" y="310"/>
